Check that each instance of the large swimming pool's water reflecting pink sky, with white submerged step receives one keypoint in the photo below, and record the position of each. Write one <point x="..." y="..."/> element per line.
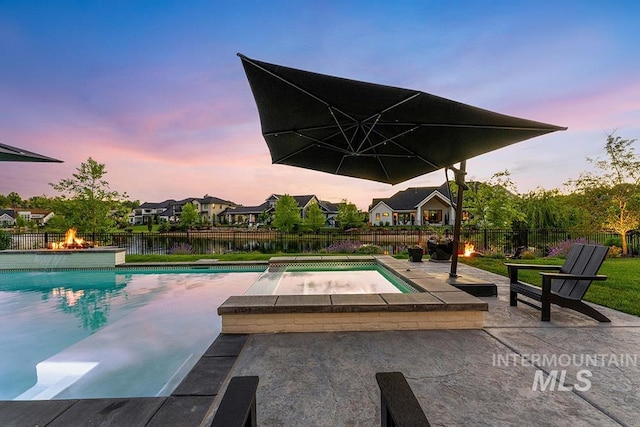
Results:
<point x="85" y="334"/>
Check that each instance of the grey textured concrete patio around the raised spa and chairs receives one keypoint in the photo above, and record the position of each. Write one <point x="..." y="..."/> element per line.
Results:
<point x="460" y="377"/>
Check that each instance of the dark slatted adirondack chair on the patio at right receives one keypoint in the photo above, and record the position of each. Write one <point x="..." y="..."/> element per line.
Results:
<point x="564" y="288"/>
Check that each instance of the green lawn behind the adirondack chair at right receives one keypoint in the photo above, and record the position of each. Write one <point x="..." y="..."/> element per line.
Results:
<point x="621" y="290"/>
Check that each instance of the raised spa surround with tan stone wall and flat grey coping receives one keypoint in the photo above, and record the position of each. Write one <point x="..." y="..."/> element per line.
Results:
<point x="438" y="306"/>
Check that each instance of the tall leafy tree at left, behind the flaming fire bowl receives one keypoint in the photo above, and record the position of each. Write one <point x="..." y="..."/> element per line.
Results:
<point x="87" y="200"/>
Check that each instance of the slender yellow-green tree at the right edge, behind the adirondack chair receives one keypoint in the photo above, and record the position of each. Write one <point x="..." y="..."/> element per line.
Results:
<point x="614" y="192"/>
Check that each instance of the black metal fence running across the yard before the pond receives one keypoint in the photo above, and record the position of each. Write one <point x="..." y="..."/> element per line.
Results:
<point x="391" y="240"/>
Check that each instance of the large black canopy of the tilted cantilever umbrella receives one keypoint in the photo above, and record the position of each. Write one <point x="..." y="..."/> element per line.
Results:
<point x="371" y="131"/>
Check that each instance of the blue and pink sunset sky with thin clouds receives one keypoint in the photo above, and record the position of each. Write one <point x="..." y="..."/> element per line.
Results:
<point x="154" y="89"/>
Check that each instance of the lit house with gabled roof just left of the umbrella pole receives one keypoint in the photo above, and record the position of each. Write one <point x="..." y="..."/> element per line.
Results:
<point x="415" y="206"/>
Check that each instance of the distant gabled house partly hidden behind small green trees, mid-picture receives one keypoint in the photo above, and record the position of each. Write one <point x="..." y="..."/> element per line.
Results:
<point x="250" y="214"/>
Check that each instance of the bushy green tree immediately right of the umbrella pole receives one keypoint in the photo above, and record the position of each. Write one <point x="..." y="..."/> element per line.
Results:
<point x="494" y="203"/>
